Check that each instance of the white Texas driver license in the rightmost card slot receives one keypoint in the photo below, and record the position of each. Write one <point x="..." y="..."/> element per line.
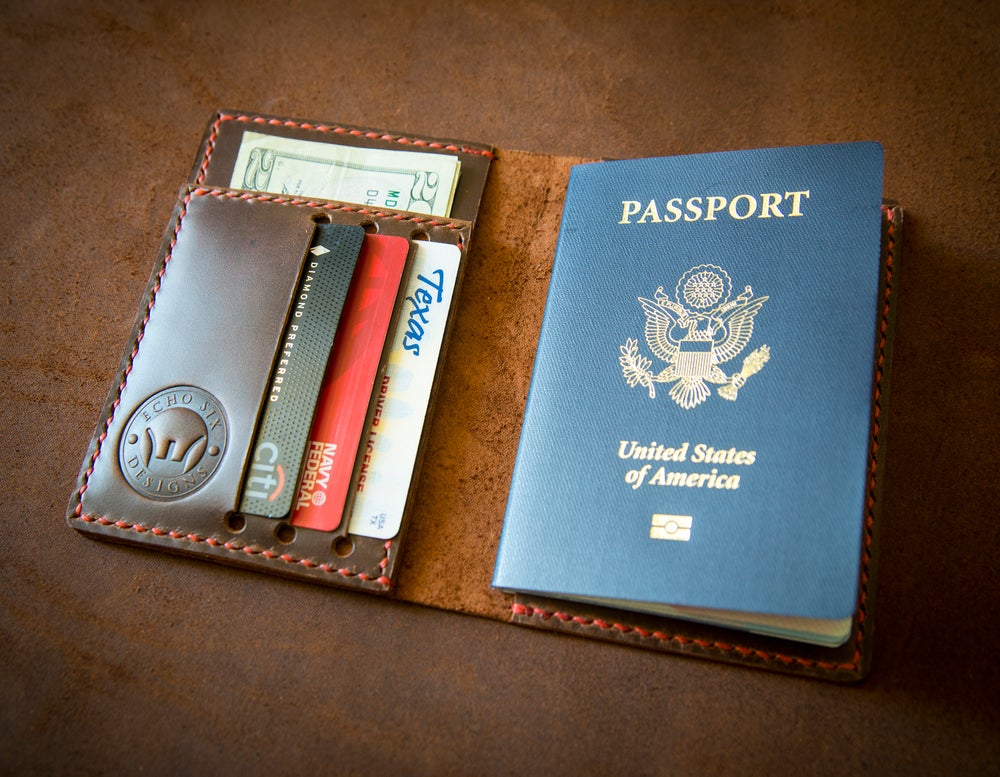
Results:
<point x="392" y="437"/>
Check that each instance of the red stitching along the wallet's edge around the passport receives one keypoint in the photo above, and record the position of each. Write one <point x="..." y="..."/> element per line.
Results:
<point x="529" y="611"/>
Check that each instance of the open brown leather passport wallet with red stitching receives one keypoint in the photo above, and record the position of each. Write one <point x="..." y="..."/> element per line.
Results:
<point x="206" y="337"/>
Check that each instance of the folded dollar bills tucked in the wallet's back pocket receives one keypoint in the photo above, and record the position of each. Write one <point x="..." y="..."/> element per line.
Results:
<point x="403" y="180"/>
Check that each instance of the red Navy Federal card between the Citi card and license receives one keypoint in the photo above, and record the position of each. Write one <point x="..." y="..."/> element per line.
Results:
<point x="343" y="402"/>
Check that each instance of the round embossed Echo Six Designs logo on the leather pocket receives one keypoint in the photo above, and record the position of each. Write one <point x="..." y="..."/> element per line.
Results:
<point x="173" y="442"/>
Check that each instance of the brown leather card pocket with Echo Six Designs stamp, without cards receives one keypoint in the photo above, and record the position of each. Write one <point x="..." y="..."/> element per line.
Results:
<point x="168" y="459"/>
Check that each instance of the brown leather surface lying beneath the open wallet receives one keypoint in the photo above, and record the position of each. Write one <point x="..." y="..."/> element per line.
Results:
<point x="114" y="659"/>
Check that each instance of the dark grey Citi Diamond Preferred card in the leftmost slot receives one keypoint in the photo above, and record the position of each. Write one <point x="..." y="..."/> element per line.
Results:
<point x="283" y="429"/>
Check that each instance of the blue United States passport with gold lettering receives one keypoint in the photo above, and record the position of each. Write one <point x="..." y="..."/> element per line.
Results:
<point x="697" y="435"/>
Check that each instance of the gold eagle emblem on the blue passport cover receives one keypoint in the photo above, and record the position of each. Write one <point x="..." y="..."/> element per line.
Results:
<point x="694" y="333"/>
